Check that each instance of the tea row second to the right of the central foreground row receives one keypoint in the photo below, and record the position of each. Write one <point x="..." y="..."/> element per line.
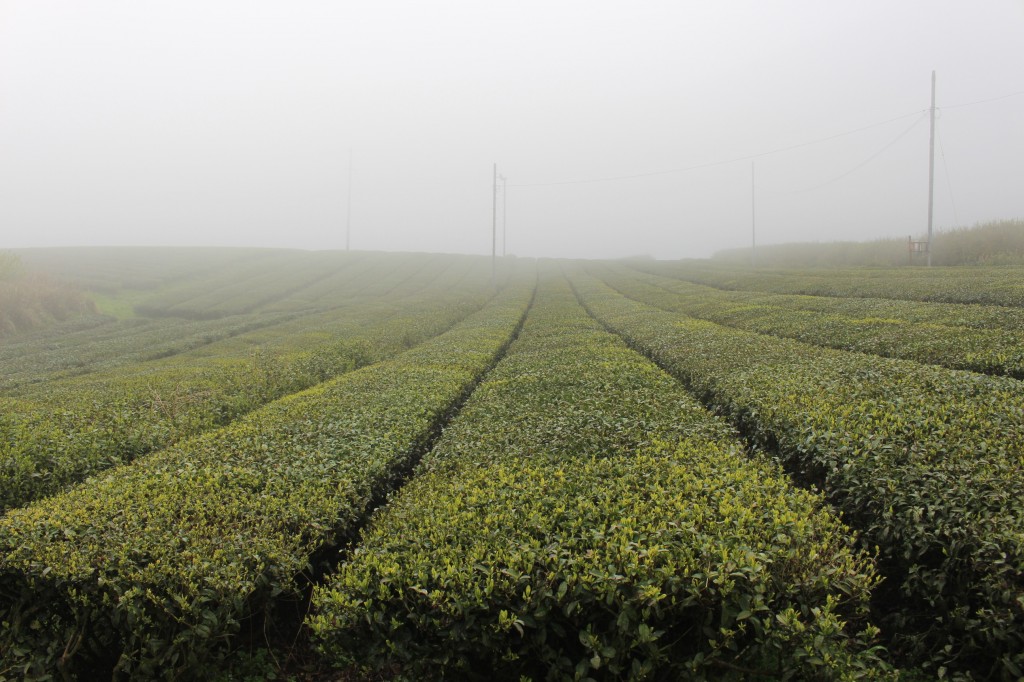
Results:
<point x="988" y="339"/>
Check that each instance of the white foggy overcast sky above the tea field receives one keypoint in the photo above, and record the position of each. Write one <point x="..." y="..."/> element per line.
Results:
<point x="234" y="122"/>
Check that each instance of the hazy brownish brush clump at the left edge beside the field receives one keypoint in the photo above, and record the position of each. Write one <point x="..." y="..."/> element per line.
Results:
<point x="30" y="301"/>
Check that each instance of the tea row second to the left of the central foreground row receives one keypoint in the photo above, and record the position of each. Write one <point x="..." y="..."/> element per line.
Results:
<point x="64" y="432"/>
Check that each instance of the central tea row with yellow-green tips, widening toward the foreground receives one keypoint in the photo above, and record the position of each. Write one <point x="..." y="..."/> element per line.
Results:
<point x="583" y="518"/>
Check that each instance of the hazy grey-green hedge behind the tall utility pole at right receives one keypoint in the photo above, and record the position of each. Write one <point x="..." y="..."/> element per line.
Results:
<point x="998" y="243"/>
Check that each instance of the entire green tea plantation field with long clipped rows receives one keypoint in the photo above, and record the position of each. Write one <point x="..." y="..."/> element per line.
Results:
<point x="254" y="464"/>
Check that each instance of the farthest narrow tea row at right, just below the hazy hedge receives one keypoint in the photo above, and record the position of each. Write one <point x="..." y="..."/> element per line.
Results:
<point x="987" y="286"/>
